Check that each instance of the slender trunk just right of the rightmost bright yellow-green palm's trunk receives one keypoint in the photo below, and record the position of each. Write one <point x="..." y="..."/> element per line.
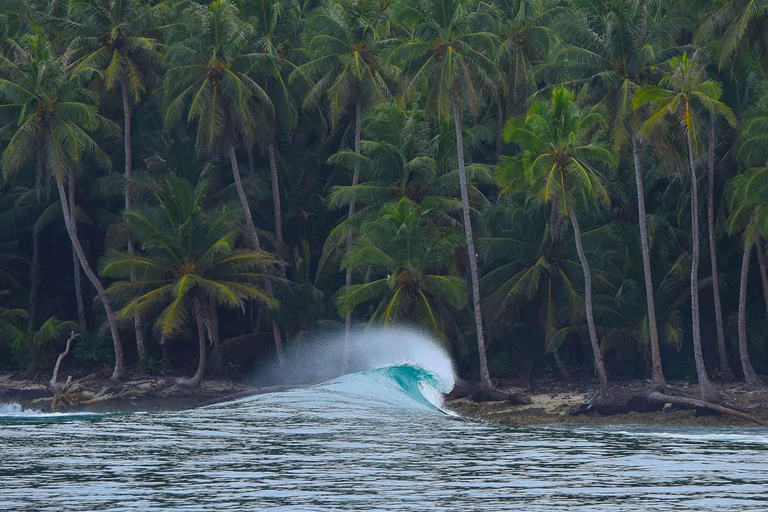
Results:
<point x="725" y="366"/>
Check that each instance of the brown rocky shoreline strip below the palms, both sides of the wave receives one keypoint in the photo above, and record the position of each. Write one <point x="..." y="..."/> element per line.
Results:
<point x="551" y="403"/>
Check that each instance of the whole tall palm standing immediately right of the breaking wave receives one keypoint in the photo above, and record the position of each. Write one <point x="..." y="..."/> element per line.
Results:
<point x="450" y="56"/>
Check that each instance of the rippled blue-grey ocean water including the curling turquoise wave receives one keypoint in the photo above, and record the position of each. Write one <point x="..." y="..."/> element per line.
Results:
<point x="374" y="440"/>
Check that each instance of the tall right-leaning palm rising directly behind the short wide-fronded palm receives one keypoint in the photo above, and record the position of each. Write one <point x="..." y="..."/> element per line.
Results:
<point x="209" y="77"/>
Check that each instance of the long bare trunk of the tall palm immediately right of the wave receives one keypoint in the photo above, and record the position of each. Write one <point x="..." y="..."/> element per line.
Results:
<point x="485" y="376"/>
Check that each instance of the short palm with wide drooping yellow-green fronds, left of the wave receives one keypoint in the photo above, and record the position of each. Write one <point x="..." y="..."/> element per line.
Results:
<point x="188" y="267"/>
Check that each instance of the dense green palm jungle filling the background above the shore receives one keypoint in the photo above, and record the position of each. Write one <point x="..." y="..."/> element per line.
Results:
<point x="574" y="184"/>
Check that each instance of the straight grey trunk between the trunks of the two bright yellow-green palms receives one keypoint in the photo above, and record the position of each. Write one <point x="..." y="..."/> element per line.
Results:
<point x="657" y="374"/>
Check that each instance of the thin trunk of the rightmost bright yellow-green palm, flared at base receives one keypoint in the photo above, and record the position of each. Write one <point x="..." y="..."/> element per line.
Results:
<point x="705" y="386"/>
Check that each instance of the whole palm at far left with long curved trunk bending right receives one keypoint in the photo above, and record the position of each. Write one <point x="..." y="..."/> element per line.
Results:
<point x="55" y="114"/>
